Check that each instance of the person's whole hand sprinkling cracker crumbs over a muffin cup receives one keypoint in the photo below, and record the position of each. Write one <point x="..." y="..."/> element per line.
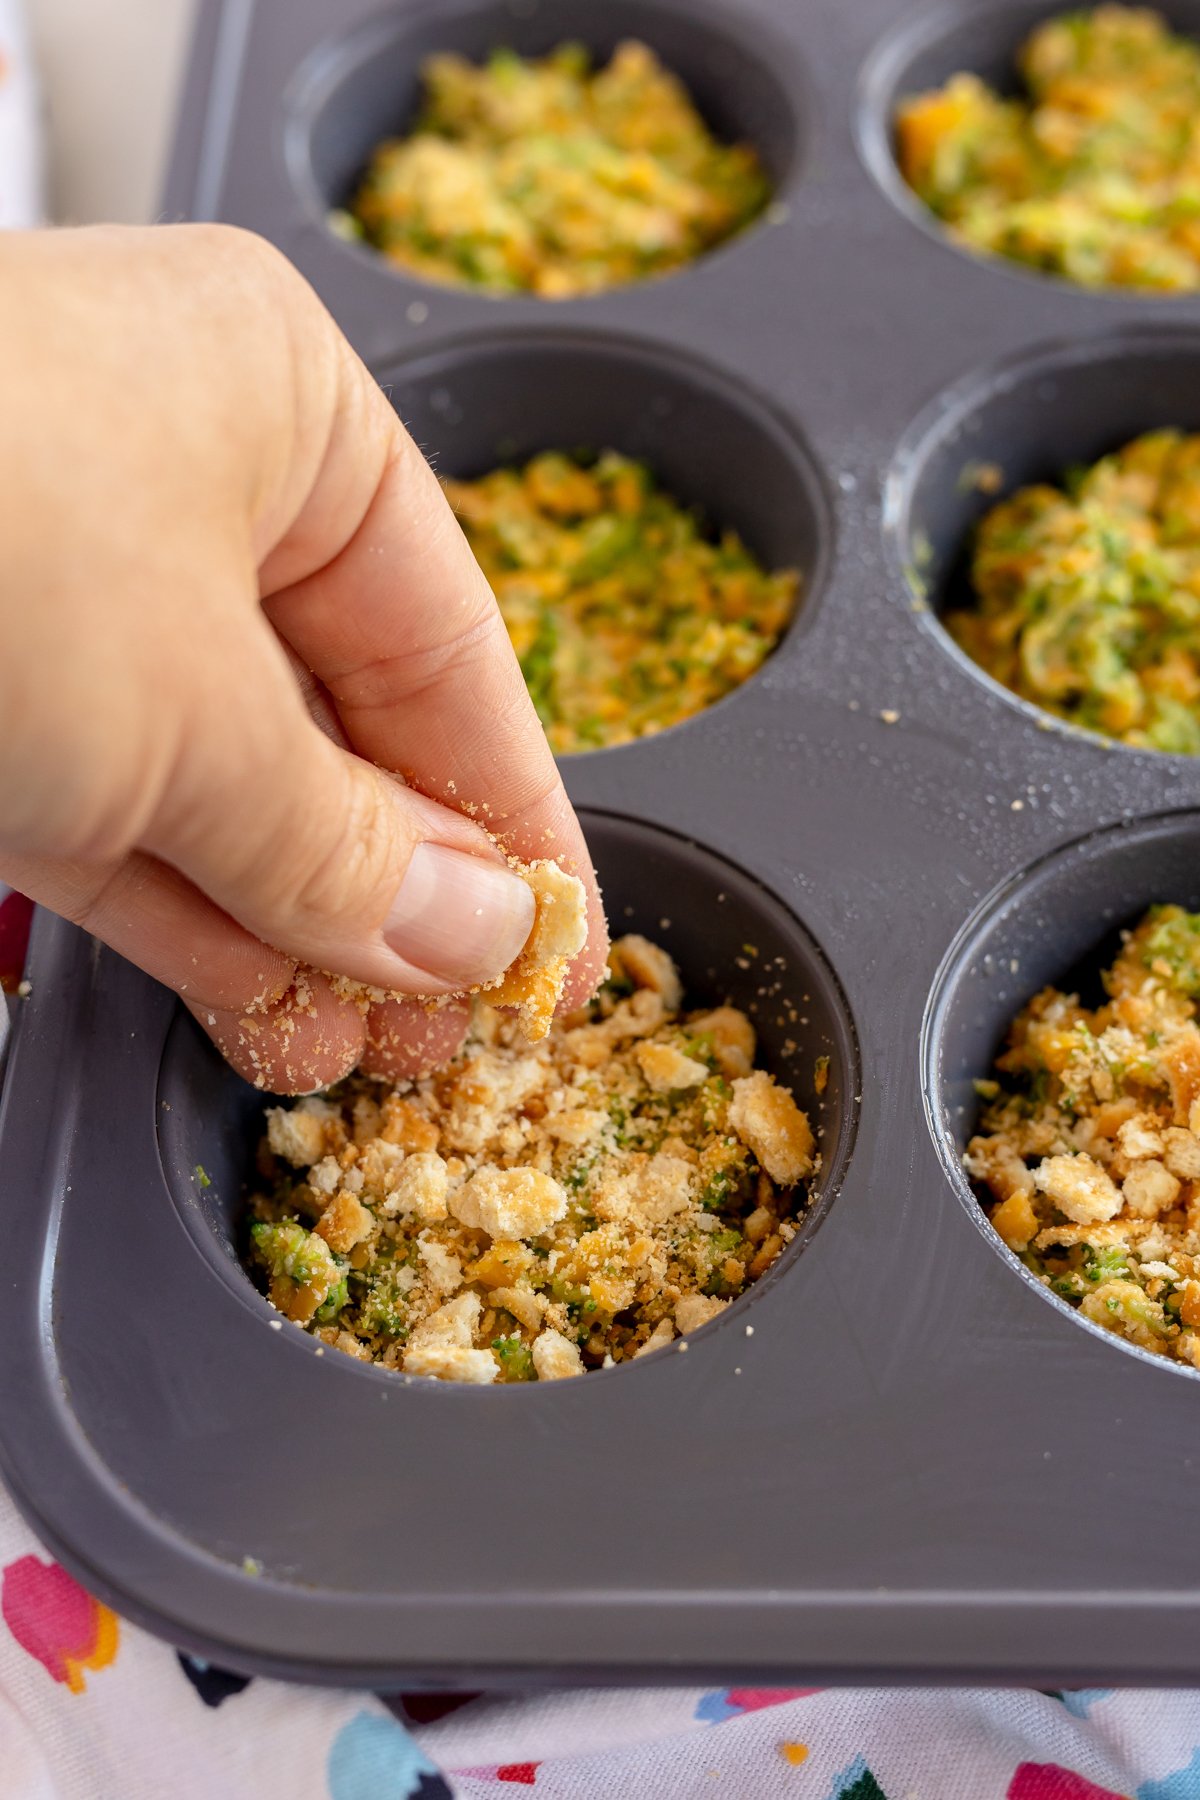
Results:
<point x="258" y="708"/>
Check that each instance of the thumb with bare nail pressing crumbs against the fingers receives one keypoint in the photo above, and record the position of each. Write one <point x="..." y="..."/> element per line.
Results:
<point x="325" y="856"/>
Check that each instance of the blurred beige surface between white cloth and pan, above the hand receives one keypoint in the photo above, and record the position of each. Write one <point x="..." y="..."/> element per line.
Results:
<point x="111" y="76"/>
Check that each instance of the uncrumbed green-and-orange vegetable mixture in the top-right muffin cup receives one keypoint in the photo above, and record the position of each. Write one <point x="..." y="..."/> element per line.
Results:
<point x="1093" y="174"/>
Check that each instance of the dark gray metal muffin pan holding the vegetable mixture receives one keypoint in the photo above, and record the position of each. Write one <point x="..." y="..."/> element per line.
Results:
<point x="897" y="1459"/>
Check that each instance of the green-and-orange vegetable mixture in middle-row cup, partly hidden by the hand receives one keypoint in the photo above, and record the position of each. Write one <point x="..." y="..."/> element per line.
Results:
<point x="623" y="615"/>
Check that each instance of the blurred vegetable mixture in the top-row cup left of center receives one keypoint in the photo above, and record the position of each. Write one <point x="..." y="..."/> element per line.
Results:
<point x="551" y="177"/>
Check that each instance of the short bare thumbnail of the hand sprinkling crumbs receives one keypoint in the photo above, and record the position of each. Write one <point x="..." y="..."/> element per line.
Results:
<point x="460" y="917"/>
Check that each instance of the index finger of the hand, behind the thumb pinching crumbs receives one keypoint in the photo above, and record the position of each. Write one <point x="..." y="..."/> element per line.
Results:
<point x="406" y="634"/>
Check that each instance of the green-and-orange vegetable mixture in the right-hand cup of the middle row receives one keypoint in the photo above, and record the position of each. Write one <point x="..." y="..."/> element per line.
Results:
<point x="1089" y="595"/>
